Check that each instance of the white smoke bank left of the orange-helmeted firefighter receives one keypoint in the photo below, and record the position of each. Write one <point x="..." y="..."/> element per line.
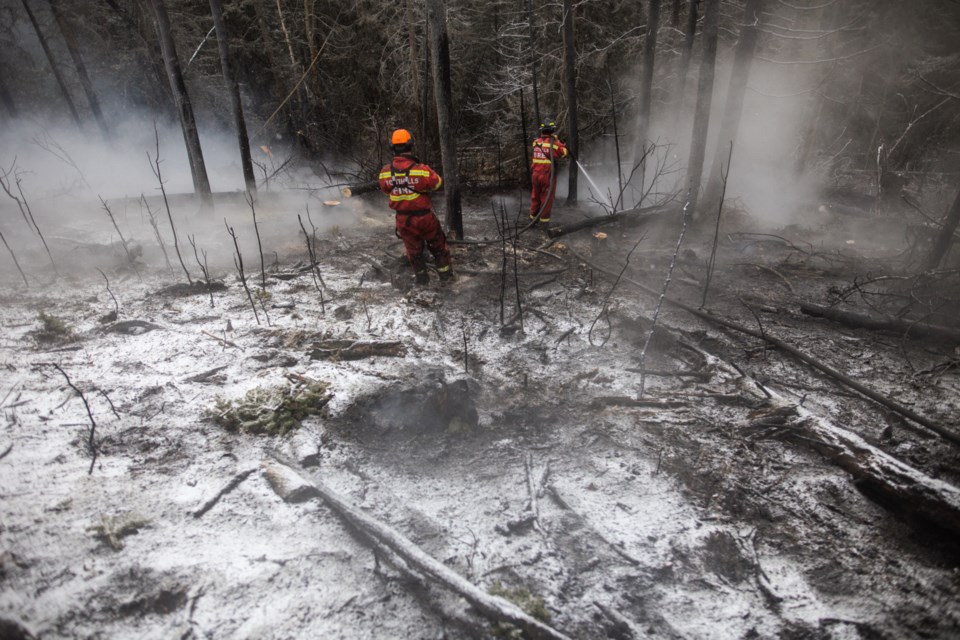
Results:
<point x="63" y="172"/>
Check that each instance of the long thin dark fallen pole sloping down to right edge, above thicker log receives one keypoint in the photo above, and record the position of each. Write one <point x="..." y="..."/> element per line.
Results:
<point x="864" y="390"/>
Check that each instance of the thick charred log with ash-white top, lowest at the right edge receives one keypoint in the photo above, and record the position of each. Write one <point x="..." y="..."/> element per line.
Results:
<point x="879" y="474"/>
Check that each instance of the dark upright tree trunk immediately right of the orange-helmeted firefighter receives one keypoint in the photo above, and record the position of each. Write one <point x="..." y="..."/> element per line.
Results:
<point x="443" y="92"/>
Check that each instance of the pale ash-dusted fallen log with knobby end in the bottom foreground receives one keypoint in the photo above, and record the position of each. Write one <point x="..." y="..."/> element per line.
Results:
<point x="293" y="487"/>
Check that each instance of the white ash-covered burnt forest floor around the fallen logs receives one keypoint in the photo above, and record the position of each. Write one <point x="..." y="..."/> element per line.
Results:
<point x="514" y="445"/>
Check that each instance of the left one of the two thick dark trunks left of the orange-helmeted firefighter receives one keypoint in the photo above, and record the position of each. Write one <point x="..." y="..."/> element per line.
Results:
<point x="191" y="137"/>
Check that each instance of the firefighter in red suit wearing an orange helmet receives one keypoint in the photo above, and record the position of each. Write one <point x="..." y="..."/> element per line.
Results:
<point x="407" y="182"/>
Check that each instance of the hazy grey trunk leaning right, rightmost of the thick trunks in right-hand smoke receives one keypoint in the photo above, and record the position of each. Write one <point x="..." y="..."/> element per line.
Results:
<point x="730" y="123"/>
